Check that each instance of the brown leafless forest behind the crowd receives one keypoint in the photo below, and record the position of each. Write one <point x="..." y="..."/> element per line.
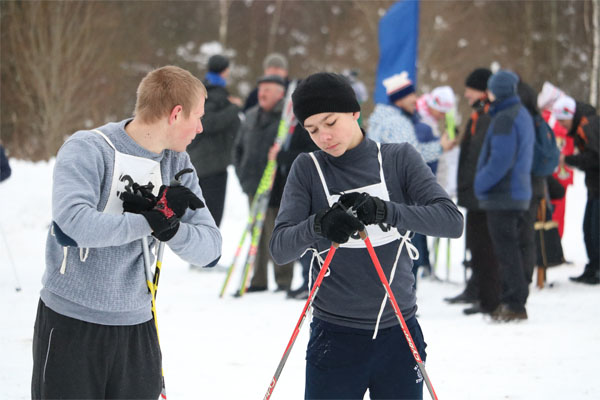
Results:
<point x="68" y="65"/>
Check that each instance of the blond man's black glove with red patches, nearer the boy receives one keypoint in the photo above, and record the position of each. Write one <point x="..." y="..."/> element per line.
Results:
<point x="171" y="204"/>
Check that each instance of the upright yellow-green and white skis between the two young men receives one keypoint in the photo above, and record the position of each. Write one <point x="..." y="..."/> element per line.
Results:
<point x="260" y="201"/>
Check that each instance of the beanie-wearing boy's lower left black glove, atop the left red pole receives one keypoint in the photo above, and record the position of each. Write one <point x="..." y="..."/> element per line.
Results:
<point x="336" y="224"/>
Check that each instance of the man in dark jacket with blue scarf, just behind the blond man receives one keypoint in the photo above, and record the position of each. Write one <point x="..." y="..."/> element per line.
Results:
<point x="210" y="152"/>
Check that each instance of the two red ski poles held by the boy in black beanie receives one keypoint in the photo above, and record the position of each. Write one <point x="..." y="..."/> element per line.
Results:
<point x="391" y="298"/>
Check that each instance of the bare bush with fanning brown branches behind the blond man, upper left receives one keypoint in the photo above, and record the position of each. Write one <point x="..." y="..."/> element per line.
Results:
<point x="53" y="54"/>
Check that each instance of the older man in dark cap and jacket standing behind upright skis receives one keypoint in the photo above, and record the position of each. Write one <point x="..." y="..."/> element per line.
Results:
<point x="254" y="146"/>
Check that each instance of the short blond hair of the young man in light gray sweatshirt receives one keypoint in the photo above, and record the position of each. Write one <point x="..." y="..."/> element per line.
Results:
<point x="164" y="88"/>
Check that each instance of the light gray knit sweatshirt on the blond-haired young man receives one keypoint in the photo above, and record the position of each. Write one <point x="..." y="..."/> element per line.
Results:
<point x="104" y="277"/>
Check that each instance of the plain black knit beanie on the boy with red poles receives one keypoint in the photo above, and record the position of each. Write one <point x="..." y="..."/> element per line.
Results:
<point x="323" y="92"/>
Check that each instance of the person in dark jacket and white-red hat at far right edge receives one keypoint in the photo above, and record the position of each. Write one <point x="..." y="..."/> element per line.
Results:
<point x="582" y="123"/>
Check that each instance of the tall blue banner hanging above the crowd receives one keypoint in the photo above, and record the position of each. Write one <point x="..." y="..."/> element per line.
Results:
<point x="398" y="44"/>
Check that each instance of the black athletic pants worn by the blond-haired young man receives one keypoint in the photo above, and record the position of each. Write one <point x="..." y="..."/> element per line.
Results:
<point x="73" y="359"/>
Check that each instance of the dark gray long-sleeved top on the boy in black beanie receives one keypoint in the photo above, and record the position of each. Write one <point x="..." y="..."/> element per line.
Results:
<point x="352" y="294"/>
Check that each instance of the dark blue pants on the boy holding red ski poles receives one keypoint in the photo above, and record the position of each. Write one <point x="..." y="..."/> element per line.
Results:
<point x="342" y="363"/>
